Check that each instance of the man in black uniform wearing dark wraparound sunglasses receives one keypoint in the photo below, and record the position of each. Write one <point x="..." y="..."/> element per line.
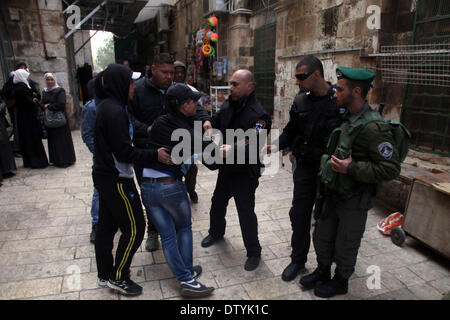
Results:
<point x="314" y="114"/>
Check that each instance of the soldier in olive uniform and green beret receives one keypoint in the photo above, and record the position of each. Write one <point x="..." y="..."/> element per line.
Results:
<point x="361" y="154"/>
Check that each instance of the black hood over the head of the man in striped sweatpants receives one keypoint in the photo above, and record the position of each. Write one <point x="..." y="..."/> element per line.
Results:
<point x="116" y="82"/>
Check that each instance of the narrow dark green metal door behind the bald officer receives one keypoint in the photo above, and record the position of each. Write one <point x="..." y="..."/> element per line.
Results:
<point x="264" y="66"/>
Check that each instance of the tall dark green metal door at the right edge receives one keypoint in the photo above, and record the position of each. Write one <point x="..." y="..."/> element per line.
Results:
<point x="426" y="104"/>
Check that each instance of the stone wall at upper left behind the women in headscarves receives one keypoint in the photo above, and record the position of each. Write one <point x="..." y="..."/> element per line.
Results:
<point x="28" y="46"/>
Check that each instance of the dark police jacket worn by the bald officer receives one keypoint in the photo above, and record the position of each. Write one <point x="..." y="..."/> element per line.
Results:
<point x="247" y="114"/>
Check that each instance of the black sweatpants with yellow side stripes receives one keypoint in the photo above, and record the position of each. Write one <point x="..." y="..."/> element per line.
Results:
<point x="120" y="208"/>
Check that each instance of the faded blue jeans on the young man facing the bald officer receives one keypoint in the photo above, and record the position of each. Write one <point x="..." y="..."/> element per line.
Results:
<point x="170" y="211"/>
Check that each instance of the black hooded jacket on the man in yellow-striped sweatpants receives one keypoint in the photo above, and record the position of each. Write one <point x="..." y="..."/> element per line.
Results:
<point x="114" y="152"/>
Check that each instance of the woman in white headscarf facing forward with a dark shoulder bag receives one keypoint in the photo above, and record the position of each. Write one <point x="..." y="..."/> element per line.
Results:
<point x="60" y="145"/>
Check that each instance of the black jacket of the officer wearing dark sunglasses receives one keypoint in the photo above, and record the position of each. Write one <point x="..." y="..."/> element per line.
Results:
<point x="311" y="120"/>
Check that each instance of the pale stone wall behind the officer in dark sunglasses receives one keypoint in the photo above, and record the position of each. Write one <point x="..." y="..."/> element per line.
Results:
<point x="321" y="27"/>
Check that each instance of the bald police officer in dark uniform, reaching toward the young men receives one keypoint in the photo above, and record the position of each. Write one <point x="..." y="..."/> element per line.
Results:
<point x="240" y="111"/>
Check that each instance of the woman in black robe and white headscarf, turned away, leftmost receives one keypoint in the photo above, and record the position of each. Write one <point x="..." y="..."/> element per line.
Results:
<point x="29" y="128"/>
